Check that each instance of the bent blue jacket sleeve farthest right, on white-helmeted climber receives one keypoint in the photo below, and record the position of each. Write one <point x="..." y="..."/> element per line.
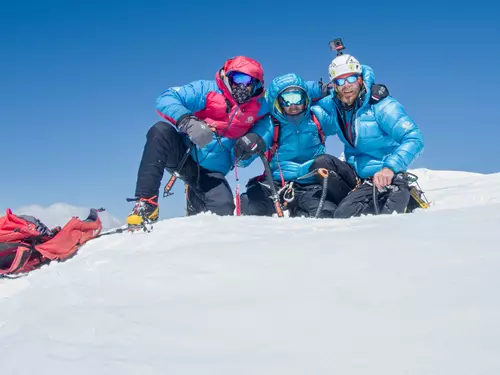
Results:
<point x="392" y="118"/>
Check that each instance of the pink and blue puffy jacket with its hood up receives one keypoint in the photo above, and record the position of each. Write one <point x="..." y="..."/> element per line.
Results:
<point x="212" y="102"/>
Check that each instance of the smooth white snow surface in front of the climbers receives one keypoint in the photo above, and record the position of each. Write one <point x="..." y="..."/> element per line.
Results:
<point x="399" y="294"/>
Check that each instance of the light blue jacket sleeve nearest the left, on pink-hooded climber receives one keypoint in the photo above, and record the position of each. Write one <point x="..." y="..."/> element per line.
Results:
<point x="178" y="101"/>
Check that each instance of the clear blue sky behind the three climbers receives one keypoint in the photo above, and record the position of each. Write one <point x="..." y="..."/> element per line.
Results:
<point x="79" y="80"/>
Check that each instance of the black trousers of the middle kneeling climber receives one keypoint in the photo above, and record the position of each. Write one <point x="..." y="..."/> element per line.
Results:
<point x="256" y="201"/>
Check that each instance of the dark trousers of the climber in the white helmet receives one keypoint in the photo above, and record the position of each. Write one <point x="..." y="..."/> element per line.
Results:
<point x="359" y="202"/>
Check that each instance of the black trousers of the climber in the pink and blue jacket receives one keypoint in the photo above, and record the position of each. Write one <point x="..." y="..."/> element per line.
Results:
<point x="164" y="149"/>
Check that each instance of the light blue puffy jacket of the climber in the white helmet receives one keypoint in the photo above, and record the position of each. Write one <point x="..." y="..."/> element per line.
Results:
<point x="383" y="135"/>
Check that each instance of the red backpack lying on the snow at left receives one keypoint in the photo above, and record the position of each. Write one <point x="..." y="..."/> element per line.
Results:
<point x="26" y="243"/>
